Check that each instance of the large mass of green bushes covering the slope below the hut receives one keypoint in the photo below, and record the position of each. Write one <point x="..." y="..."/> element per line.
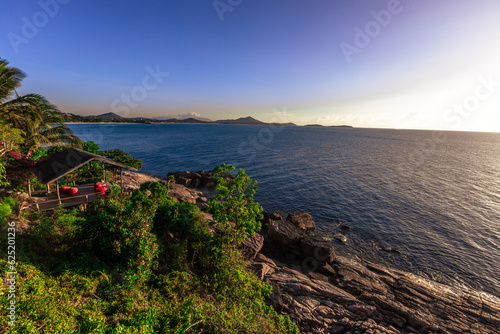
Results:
<point x="135" y="264"/>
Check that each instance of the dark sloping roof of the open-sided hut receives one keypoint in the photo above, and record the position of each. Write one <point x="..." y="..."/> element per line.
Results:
<point x="63" y="163"/>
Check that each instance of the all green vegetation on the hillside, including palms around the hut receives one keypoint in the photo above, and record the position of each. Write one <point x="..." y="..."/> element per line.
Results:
<point x="128" y="263"/>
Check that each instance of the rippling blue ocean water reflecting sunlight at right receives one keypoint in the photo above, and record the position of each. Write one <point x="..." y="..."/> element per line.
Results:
<point x="433" y="198"/>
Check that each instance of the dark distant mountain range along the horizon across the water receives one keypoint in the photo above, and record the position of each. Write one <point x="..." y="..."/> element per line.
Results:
<point x="115" y="118"/>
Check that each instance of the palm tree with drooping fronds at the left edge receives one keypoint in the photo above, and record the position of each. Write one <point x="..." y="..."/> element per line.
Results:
<point x="40" y="120"/>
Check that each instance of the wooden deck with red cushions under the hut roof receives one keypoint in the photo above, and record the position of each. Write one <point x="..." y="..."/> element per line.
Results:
<point x="86" y="195"/>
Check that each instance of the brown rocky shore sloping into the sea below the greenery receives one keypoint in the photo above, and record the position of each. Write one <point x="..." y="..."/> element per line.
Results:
<point x="326" y="293"/>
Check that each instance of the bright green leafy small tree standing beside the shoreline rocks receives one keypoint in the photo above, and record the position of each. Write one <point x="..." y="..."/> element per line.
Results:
<point x="234" y="206"/>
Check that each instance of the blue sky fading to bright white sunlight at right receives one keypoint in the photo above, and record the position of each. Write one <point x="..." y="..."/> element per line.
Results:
<point x="407" y="64"/>
